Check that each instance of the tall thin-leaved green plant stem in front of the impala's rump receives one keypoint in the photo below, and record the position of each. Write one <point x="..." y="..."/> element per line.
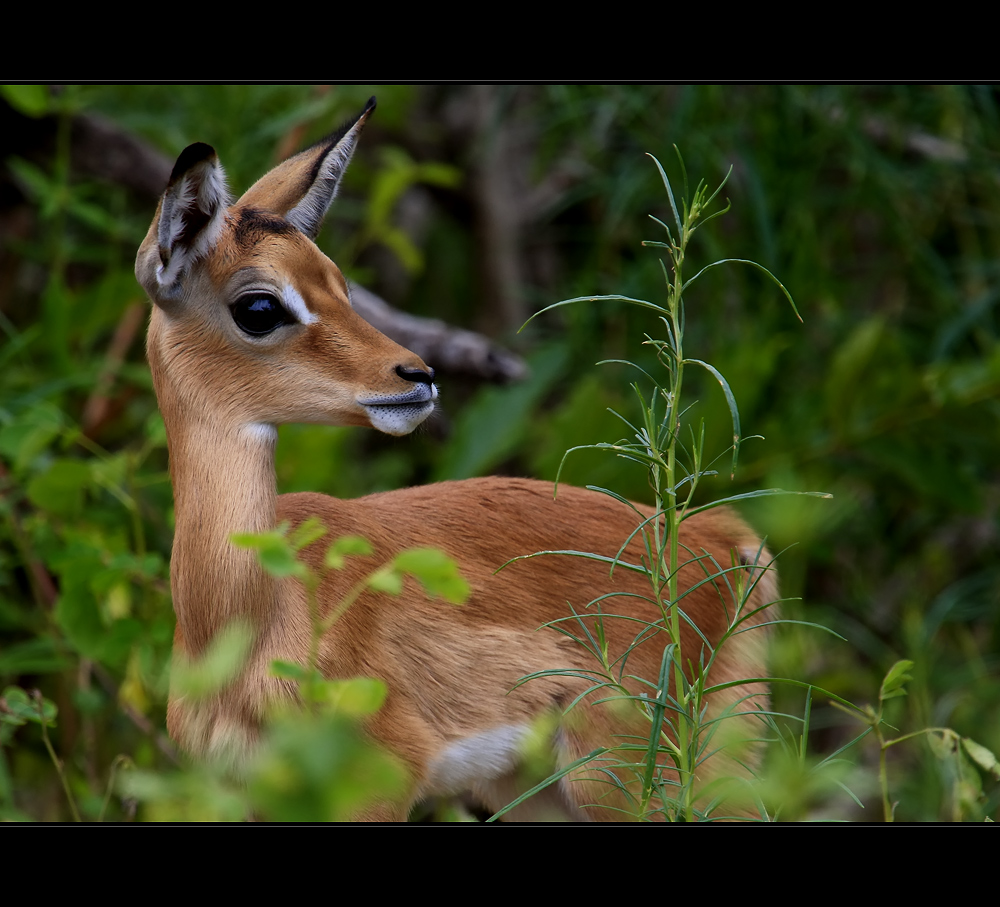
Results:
<point x="682" y="734"/>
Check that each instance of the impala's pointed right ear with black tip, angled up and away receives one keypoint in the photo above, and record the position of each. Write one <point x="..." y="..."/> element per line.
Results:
<point x="302" y="188"/>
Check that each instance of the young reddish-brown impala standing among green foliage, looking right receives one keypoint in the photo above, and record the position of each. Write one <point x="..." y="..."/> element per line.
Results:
<point x="252" y="326"/>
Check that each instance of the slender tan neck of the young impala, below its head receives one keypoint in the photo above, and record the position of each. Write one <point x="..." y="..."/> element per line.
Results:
<point x="224" y="482"/>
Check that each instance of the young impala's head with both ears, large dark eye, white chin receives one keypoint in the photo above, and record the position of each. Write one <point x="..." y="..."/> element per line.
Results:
<point x="252" y="325"/>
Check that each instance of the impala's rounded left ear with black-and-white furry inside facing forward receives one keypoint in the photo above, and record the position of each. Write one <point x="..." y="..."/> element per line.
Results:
<point x="188" y="221"/>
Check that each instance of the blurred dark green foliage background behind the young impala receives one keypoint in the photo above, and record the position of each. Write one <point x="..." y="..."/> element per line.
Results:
<point x="877" y="207"/>
